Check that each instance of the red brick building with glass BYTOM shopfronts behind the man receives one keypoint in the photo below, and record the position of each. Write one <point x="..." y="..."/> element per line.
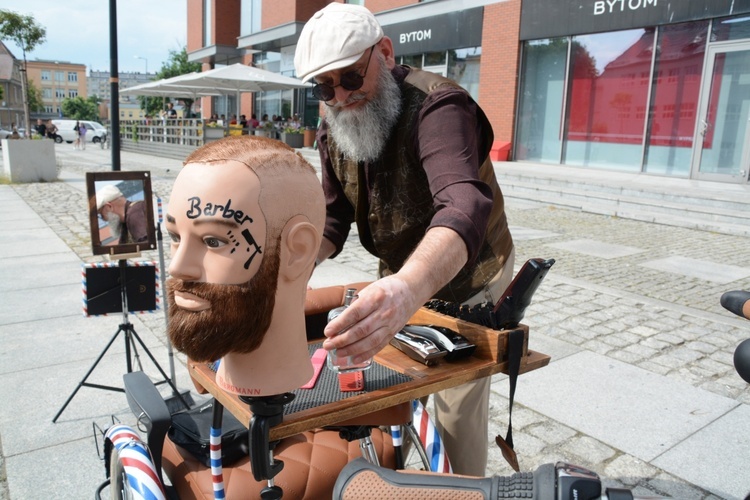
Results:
<point x="637" y="85"/>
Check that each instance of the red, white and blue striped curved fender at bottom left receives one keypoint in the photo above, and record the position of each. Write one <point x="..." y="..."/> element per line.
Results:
<point x="136" y="461"/>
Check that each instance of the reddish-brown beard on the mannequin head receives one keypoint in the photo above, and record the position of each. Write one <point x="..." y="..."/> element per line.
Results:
<point x="237" y="320"/>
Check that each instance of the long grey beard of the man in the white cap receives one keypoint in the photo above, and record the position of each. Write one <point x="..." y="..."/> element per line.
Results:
<point x="361" y="133"/>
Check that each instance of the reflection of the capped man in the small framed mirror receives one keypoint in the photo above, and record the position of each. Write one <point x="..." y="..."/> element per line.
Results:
<point x="126" y="219"/>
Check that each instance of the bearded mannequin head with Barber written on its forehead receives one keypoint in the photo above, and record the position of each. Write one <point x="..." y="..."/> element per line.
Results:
<point x="245" y="218"/>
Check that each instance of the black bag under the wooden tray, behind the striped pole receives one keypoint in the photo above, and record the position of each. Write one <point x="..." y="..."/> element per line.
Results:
<point x="191" y="430"/>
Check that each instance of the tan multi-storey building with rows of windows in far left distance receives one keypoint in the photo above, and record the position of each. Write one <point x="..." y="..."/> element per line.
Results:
<point x="57" y="80"/>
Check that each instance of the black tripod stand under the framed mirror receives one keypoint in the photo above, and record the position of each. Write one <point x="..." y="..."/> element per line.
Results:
<point x="130" y="336"/>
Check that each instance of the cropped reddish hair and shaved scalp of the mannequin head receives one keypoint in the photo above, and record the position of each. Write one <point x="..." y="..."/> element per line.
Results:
<point x="273" y="162"/>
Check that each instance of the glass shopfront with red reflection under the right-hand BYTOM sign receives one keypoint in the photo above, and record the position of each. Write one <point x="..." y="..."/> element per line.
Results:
<point x="637" y="85"/>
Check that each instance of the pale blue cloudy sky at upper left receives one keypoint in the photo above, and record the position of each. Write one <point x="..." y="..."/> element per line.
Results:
<point x="78" y="31"/>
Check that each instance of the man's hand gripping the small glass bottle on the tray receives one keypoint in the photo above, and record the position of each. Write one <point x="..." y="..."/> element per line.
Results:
<point x="380" y="310"/>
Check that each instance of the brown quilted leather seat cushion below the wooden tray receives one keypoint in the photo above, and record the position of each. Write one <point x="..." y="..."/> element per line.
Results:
<point x="312" y="462"/>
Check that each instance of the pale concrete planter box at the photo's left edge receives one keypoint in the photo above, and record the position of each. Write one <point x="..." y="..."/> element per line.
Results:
<point x="26" y="160"/>
